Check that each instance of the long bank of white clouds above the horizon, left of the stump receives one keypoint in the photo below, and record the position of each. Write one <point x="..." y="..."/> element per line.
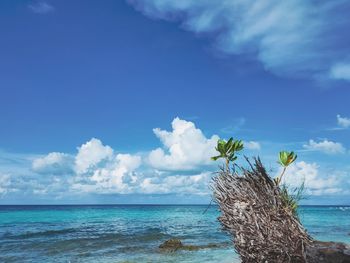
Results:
<point x="179" y="166"/>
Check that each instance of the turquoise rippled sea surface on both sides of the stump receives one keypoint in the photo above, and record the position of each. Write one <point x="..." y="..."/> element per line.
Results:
<point x="123" y="233"/>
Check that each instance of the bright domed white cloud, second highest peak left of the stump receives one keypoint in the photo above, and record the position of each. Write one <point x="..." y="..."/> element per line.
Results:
<point x="90" y="154"/>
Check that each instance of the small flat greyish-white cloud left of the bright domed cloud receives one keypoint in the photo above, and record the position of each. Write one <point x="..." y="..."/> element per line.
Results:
<point x="54" y="163"/>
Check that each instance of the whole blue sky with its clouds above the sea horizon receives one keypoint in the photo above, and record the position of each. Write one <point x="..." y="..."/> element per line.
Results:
<point x="123" y="101"/>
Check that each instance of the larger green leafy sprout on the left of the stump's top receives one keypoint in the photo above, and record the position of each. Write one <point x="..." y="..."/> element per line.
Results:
<point x="227" y="150"/>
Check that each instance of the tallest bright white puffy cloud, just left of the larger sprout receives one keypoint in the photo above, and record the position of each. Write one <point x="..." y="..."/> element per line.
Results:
<point x="186" y="147"/>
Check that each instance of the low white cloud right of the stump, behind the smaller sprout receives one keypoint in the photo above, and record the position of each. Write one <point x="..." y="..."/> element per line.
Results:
<point x="300" y="172"/>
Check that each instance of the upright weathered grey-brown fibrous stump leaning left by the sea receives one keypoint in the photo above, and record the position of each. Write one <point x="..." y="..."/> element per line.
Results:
<point x="252" y="211"/>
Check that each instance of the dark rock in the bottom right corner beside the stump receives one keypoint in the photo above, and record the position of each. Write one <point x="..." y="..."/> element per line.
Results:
<point x="328" y="252"/>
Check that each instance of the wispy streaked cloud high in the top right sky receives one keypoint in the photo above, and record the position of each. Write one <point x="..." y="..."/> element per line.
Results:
<point x="291" y="37"/>
